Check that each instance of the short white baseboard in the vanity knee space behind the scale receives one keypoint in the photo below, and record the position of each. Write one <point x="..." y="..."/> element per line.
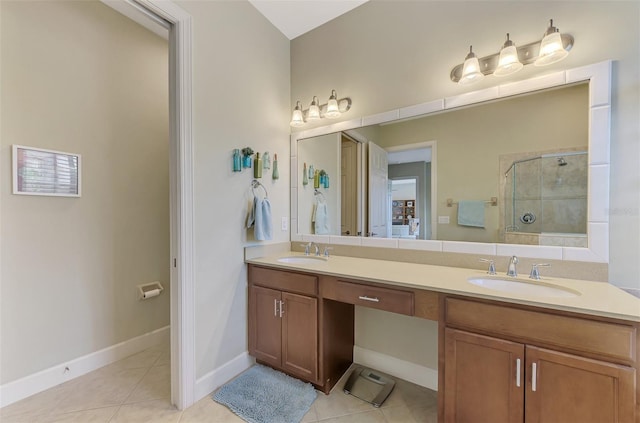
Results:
<point x="415" y="373"/>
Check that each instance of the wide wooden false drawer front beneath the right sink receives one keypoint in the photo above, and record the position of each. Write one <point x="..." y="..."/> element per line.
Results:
<point x="608" y="340"/>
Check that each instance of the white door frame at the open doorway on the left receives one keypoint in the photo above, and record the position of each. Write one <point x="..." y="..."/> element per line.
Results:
<point x="183" y="375"/>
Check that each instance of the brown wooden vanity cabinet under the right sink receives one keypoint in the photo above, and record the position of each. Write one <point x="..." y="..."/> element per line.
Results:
<point x="515" y="365"/>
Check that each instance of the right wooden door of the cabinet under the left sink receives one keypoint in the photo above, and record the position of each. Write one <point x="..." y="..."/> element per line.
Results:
<point x="300" y="336"/>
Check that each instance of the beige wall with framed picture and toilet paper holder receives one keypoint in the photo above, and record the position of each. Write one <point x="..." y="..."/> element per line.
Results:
<point x="79" y="77"/>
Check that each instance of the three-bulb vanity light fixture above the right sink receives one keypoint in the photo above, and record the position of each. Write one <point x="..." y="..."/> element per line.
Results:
<point x="553" y="47"/>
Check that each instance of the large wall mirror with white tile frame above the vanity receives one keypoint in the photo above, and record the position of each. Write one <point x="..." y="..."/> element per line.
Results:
<point x="522" y="168"/>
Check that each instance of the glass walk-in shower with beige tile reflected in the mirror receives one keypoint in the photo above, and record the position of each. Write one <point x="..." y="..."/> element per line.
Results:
<point x="546" y="200"/>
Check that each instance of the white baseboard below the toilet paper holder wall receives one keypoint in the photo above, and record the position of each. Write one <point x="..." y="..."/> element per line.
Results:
<point x="55" y="375"/>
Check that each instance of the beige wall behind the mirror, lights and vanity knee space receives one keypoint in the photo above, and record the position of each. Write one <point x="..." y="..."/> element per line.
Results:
<point x="386" y="55"/>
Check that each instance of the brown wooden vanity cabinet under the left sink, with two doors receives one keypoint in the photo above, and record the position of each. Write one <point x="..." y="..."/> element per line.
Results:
<point x="293" y="329"/>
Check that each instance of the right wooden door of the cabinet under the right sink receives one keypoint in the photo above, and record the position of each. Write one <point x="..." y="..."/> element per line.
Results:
<point x="567" y="388"/>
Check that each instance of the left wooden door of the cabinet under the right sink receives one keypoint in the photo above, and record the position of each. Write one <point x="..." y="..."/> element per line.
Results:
<point x="484" y="379"/>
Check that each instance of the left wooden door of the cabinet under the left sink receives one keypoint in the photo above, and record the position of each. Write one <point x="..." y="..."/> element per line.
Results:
<point x="265" y="328"/>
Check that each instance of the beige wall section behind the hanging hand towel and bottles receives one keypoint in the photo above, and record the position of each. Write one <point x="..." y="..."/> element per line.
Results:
<point x="240" y="98"/>
